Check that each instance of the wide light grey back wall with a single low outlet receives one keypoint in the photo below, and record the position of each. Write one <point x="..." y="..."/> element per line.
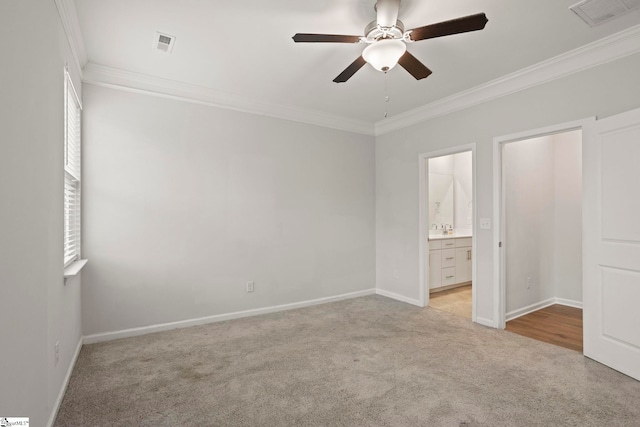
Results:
<point x="185" y="203"/>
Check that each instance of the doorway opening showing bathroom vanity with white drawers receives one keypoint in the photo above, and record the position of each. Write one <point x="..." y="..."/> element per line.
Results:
<point x="447" y="218"/>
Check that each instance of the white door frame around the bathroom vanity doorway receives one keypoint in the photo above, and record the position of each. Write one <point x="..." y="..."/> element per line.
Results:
<point x="423" y="213"/>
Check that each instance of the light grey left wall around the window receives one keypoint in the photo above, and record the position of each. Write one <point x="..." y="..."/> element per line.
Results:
<point x="37" y="309"/>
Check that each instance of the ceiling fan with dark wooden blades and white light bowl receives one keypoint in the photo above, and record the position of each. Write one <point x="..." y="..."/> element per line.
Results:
<point x="387" y="40"/>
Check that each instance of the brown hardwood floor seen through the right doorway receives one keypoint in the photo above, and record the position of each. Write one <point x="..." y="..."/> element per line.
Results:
<point x="556" y="324"/>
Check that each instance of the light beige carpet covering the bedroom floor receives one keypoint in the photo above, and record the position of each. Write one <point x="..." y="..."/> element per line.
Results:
<point x="364" y="362"/>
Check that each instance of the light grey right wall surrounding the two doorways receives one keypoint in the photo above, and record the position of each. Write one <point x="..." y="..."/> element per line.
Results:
<point x="601" y="91"/>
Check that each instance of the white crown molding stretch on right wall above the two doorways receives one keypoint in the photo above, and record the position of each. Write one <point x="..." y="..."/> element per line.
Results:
<point x="605" y="50"/>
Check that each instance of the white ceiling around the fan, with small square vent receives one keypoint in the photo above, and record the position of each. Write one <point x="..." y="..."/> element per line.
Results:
<point x="244" y="48"/>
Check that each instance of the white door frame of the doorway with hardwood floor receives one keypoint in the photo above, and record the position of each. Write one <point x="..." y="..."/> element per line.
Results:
<point x="499" y="262"/>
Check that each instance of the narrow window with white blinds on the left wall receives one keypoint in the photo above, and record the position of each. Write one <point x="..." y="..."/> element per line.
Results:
<point x="71" y="173"/>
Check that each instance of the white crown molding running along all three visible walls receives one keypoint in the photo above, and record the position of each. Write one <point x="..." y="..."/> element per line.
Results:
<point x="605" y="50"/>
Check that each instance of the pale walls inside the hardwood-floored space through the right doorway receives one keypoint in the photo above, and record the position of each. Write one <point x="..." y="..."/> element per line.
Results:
<point x="543" y="219"/>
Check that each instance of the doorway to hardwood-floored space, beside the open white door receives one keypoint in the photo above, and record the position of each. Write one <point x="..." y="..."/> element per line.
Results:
<point x="539" y="230"/>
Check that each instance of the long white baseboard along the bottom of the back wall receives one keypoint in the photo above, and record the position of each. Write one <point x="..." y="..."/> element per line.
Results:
<point x="133" y="332"/>
